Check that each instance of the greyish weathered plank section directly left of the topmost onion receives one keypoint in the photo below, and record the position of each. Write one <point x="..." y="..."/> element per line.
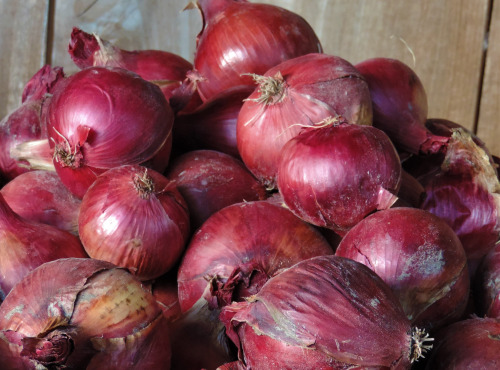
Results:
<point x="129" y="24"/>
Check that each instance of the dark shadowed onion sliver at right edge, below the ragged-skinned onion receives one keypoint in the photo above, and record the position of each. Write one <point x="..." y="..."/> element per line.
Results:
<point x="487" y="284"/>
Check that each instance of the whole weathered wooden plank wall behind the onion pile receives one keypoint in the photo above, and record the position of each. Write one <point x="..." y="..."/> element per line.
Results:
<point x="453" y="45"/>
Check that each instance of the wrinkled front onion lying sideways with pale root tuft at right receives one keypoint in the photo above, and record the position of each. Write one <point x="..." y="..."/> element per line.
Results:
<point x="323" y="313"/>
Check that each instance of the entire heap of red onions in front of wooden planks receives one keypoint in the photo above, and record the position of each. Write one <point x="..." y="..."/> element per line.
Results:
<point x="263" y="206"/>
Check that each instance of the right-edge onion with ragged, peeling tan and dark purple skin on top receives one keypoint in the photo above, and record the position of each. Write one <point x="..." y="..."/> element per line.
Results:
<point x="466" y="194"/>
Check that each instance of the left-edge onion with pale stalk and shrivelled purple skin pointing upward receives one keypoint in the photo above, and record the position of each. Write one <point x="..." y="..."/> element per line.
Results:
<point x="25" y="125"/>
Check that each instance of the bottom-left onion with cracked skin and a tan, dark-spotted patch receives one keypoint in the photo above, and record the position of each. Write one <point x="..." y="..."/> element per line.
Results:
<point x="101" y="314"/>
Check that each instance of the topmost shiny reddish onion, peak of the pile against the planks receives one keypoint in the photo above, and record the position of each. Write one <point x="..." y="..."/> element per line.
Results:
<point x="240" y="37"/>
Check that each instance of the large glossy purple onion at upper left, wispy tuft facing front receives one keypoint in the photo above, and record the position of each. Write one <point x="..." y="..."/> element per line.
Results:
<point x="104" y="117"/>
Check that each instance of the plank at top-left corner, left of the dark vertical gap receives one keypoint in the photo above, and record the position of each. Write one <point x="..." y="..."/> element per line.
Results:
<point x="23" y="34"/>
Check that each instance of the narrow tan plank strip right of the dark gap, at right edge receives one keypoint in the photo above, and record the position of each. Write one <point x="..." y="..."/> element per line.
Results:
<point x="489" y="115"/>
